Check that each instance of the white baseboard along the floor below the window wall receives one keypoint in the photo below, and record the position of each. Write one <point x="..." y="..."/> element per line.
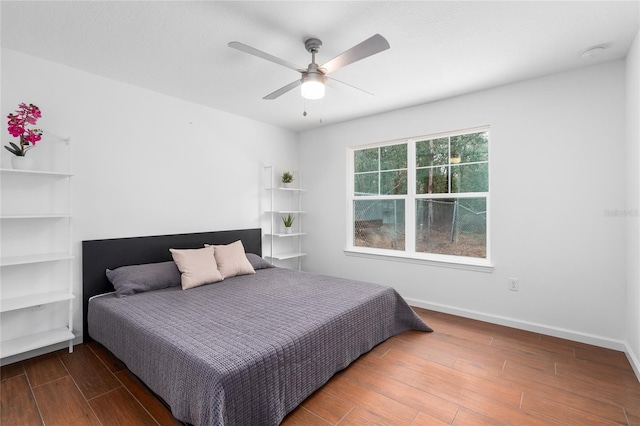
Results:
<point x="562" y="333"/>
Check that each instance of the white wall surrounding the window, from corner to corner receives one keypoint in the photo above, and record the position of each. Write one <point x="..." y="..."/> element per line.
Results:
<point x="557" y="165"/>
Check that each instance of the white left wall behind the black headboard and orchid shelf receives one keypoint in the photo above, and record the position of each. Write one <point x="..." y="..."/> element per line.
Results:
<point x="145" y="163"/>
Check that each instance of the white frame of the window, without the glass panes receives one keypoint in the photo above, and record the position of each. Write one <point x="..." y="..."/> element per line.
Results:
<point x="409" y="254"/>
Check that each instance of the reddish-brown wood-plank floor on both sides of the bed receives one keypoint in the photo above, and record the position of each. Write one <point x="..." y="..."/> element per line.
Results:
<point x="465" y="373"/>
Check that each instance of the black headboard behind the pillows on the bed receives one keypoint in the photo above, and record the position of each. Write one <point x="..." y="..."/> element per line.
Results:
<point x="99" y="255"/>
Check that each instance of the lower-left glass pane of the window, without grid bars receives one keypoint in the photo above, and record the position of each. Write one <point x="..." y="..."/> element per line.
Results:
<point x="379" y="224"/>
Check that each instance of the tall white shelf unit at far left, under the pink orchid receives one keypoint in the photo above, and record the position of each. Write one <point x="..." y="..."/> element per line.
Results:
<point x="36" y="238"/>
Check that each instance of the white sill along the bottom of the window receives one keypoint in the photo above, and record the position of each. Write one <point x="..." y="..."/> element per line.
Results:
<point x="455" y="262"/>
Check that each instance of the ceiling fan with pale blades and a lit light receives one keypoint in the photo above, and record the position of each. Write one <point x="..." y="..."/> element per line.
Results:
<point x="314" y="76"/>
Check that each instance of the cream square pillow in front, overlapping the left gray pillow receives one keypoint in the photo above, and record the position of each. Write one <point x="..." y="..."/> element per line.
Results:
<point x="197" y="266"/>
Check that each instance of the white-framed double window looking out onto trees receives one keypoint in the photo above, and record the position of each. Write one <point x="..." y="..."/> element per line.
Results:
<point x="424" y="197"/>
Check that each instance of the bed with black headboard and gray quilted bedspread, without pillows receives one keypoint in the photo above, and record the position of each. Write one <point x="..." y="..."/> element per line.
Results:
<point x="244" y="351"/>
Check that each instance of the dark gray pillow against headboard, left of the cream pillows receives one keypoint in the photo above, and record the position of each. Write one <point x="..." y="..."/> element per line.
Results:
<point x="128" y="280"/>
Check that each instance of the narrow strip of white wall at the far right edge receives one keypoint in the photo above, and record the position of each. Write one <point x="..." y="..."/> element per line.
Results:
<point x="633" y="204"/>
